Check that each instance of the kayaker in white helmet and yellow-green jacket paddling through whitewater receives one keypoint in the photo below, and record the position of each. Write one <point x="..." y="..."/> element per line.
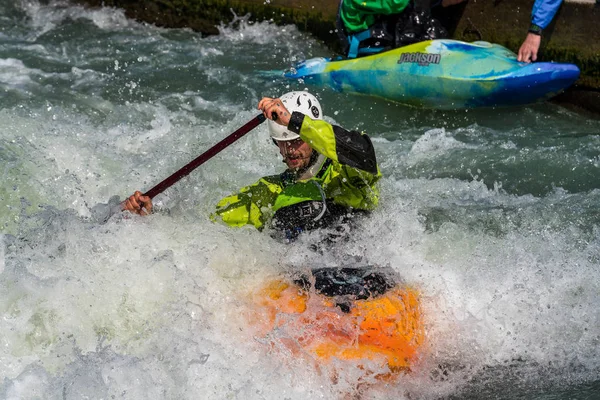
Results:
<point x="330" y="176"/>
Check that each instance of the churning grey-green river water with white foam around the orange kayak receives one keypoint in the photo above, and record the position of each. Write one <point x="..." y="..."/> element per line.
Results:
<point x="494" y="215"/>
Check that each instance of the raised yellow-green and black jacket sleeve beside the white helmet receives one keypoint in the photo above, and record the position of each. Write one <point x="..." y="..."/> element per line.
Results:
<point x="346" y="147"/>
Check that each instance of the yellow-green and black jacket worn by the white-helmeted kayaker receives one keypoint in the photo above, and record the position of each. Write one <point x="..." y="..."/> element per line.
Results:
<point x="343" y="175"/>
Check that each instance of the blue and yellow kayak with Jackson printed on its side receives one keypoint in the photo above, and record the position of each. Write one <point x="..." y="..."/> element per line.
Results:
<point x="442" y="74"/>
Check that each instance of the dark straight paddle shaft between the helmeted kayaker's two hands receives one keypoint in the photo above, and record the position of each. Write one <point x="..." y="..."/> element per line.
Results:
<point x="207" y="155"/>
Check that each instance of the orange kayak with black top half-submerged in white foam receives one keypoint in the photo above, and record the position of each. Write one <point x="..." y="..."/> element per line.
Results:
<point x="353" y="314"/>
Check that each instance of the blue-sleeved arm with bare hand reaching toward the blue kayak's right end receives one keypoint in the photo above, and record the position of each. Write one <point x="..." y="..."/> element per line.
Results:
<point x="541" y="15"/>
